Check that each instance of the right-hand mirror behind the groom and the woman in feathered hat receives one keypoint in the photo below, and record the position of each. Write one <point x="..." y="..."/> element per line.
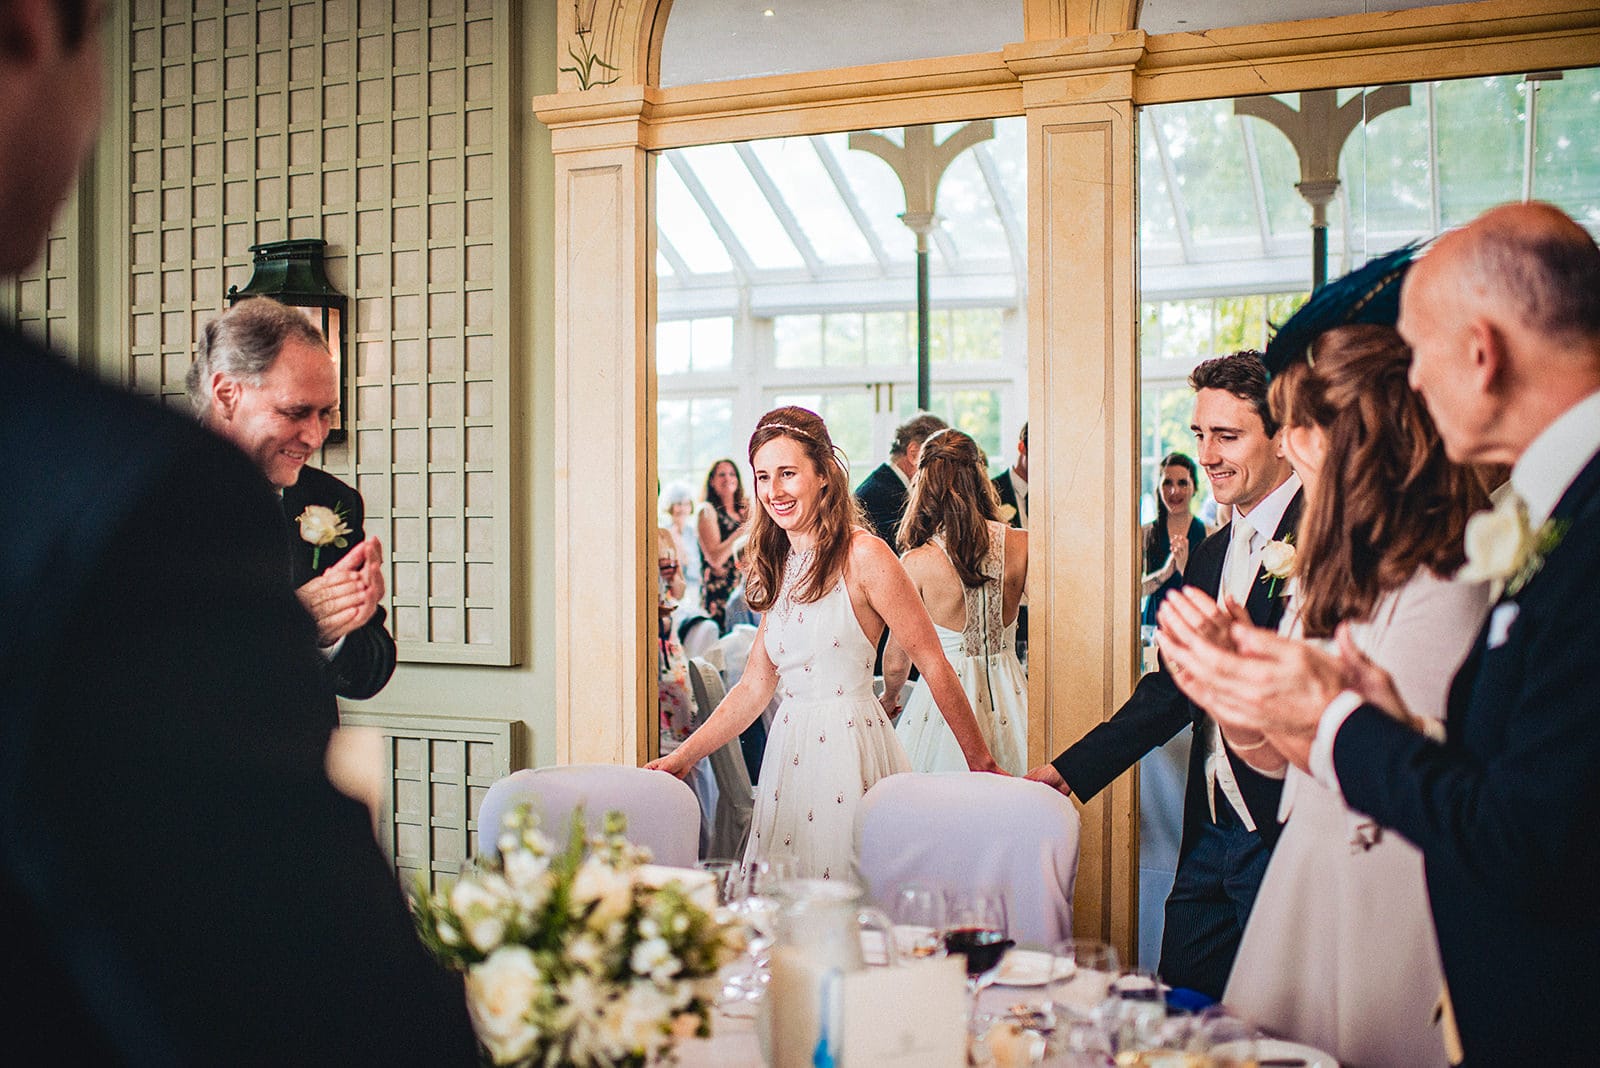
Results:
<point x="1228" y="204"/>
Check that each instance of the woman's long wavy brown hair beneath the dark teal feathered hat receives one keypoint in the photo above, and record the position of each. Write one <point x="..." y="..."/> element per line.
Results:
<point x="1388" y="500"/>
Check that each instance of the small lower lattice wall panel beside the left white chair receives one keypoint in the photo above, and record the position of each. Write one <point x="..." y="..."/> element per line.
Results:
<point x="439" y="771"/>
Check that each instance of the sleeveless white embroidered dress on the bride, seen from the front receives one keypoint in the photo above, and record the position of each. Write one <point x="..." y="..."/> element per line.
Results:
<point x="830" y="739"/>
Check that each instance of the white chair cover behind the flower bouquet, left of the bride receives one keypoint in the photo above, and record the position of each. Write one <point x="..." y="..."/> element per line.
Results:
<point x="662" y="811"/>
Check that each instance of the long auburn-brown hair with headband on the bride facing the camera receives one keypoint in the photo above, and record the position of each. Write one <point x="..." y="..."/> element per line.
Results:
<point x="838" y="514"/>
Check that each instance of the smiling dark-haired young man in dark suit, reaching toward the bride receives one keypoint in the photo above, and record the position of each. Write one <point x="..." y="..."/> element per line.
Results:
<point x="1230" y="810"/>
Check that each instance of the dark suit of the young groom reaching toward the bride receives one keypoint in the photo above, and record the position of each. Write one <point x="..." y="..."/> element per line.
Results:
<point x="1204" y="925"/>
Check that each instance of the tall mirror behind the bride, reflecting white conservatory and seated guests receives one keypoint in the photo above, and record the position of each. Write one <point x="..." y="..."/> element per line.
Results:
<point x="788" y="274"/>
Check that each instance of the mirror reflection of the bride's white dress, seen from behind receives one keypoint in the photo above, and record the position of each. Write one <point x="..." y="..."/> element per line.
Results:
<point x="983" y="655"/>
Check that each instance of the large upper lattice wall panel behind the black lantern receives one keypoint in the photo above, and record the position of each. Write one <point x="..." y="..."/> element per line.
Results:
<point x="385" y="129"/>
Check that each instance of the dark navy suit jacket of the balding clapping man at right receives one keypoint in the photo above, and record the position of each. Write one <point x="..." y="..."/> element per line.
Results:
<point x="1508" y="810"/>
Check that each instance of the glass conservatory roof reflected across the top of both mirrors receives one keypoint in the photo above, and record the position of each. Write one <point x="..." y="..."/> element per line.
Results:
<point x="812" y="225"/>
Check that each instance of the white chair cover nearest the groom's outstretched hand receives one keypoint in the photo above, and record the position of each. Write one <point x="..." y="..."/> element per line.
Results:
<point x="964" y="831"/>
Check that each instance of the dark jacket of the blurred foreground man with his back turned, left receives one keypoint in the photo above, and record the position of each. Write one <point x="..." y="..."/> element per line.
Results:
<point x="180" y="880"/>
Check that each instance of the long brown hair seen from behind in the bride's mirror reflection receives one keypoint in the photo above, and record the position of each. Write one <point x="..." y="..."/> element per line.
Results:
<point x="953" y="495"/>
